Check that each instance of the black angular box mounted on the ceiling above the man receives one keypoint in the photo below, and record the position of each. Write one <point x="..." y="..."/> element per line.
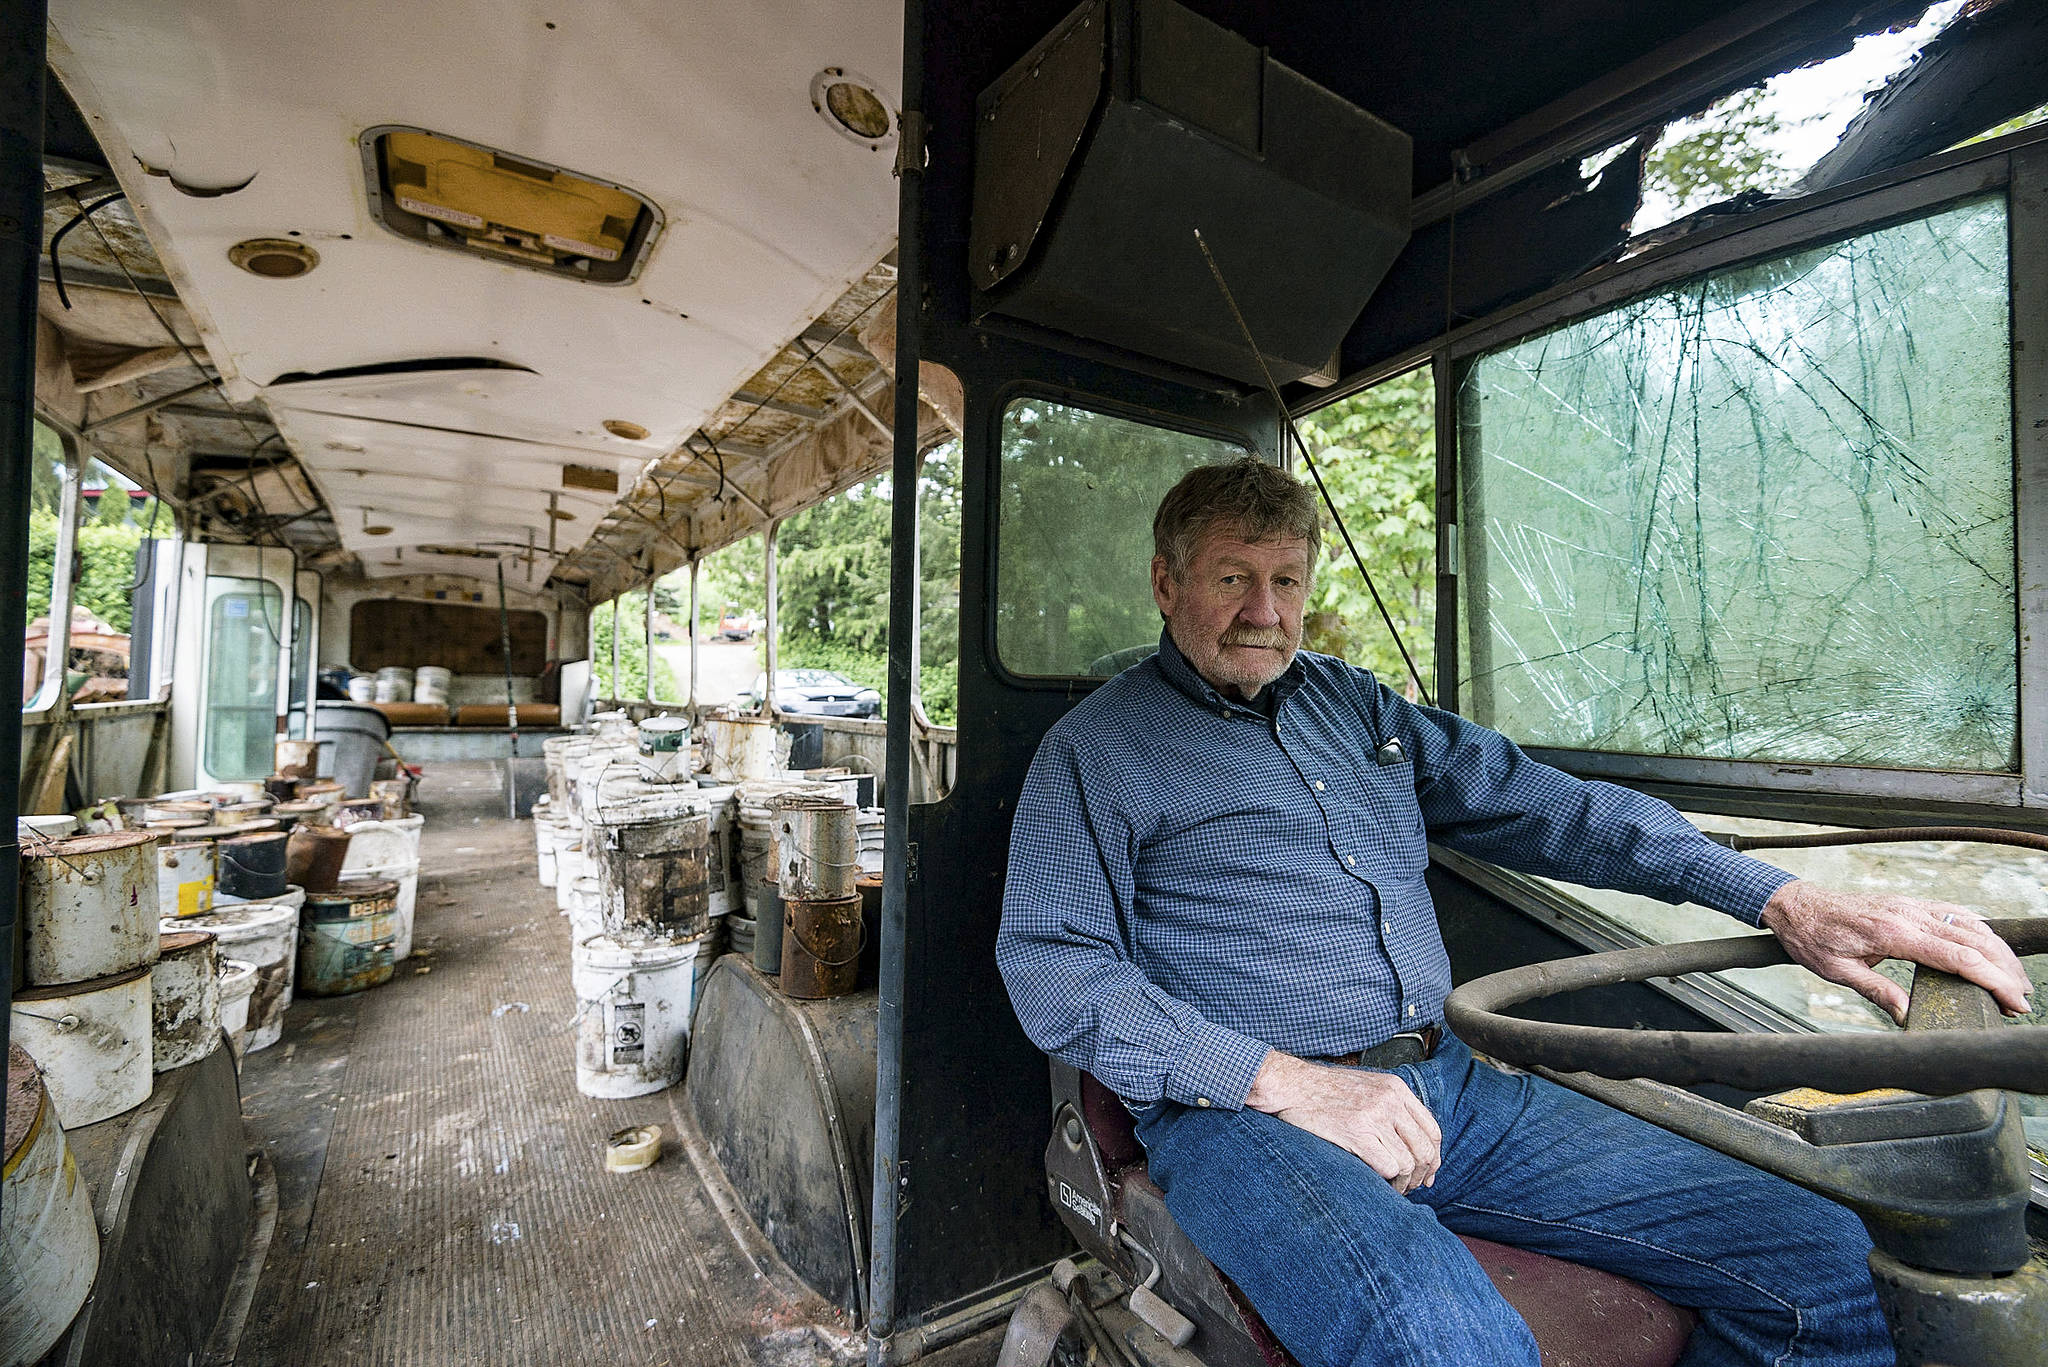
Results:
<point x="1136" y="124"/>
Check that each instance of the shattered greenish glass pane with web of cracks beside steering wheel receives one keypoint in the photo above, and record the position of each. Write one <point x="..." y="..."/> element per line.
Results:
<point x="1762" y="515"/>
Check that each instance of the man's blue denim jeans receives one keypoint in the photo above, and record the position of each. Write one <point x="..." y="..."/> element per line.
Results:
<point x="1351" y="1274"/>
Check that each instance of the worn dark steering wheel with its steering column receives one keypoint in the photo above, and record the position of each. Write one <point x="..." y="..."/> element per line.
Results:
<point x="1940" y="1177"/>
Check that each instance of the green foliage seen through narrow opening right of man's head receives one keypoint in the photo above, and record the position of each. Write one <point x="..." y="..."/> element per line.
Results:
<point x="1377" y="454"/>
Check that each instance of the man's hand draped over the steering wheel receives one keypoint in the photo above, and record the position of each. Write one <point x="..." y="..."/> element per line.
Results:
<point x="1842" y="938"/>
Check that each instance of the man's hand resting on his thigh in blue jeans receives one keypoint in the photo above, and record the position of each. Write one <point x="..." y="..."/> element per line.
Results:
<point x="1369" y="1114"/>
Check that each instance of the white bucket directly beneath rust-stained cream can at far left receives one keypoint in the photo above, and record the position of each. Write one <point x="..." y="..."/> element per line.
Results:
<point x="93" y="1044"/>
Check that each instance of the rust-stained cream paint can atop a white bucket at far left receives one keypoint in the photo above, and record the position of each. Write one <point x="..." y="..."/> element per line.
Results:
<point x="89" y="907"/>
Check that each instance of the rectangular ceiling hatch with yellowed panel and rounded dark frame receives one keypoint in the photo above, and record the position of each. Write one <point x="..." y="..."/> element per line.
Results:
<point x="470" y="198"/>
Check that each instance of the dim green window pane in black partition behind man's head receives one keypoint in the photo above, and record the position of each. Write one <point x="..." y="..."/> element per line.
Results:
<point x="1074" y="548"/>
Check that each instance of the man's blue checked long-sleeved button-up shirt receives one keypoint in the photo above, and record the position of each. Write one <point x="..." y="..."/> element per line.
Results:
<point x="1195" y="880"/>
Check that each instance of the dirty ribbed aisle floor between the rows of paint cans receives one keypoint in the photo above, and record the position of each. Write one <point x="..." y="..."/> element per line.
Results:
<point x="441" y="1196"/>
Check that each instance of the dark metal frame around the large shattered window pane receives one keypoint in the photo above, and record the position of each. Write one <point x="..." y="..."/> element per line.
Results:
<point x="2022" y="179"/>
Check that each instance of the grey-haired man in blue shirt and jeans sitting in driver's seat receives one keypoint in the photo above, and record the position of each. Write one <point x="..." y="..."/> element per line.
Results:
<point x="1218" y="907"/>
